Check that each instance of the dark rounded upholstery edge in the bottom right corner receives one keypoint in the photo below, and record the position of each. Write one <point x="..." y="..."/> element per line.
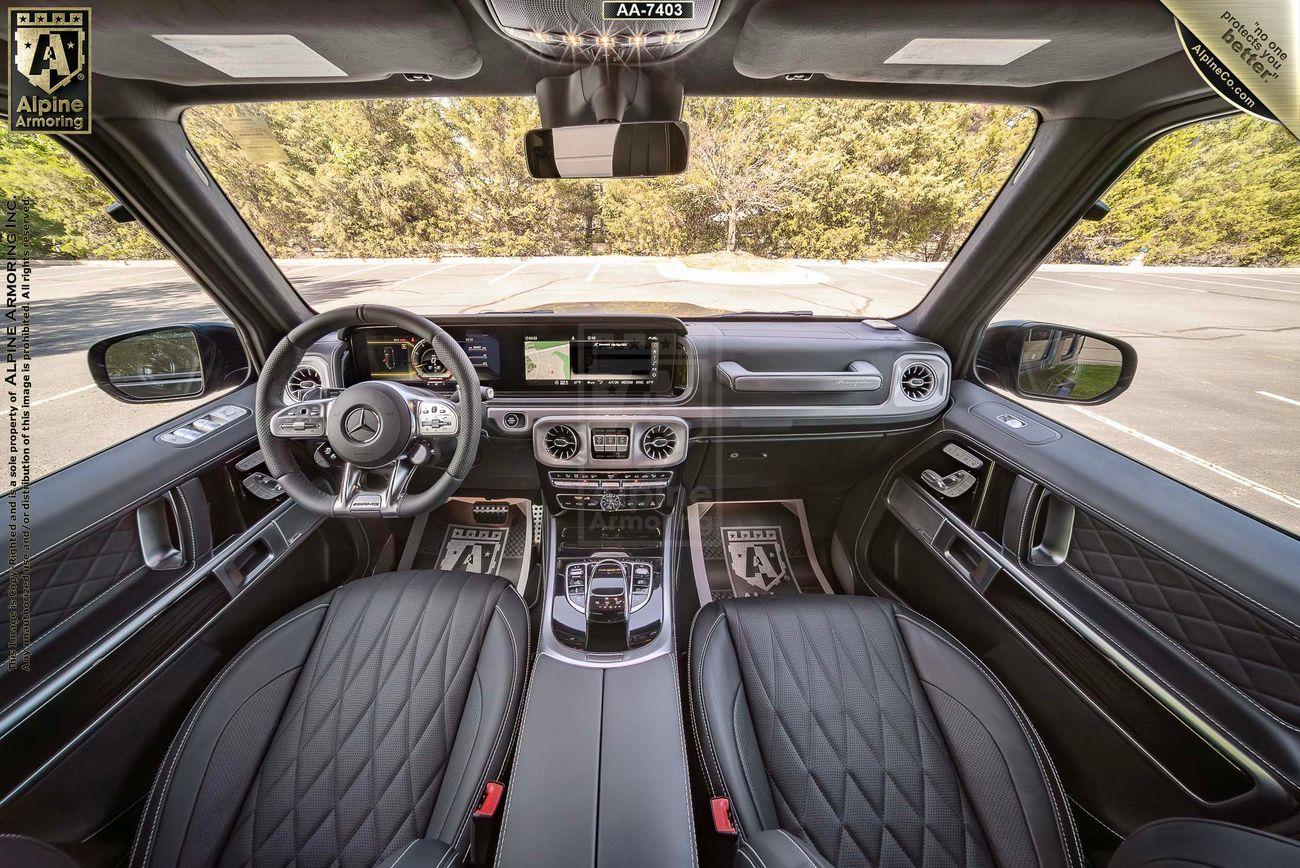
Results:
<point x="1186" y="843"/>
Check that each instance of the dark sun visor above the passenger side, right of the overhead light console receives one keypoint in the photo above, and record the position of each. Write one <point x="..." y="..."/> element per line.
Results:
<point x="972" y="42"/>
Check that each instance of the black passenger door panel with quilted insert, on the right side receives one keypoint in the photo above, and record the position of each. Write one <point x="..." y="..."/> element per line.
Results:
<point x="1112" y="576"/>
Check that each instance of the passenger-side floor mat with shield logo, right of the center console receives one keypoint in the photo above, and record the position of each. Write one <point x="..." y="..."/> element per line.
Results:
<point x="753" y="549"/>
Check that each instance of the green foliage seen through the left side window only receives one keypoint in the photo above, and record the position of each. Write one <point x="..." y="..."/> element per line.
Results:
<point x="68" y="219"/>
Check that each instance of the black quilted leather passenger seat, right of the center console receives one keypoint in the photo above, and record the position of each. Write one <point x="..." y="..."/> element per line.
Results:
<point x="847" y="731"/>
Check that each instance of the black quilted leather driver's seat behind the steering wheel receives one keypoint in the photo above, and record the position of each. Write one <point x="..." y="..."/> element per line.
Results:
<point x="366" y="721"/>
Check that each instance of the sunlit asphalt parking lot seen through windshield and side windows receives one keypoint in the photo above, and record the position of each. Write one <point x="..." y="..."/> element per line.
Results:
<point x="1216" y="402"/>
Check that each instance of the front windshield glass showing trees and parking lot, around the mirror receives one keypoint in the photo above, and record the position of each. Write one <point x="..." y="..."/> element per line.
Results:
<point x="788" y="206"/>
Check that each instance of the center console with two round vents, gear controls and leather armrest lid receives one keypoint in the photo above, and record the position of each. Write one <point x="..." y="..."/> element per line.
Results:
<point x="601" y="767"/>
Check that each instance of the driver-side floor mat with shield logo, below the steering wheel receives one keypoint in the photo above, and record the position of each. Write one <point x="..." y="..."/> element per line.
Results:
<point x="480" y="536"/>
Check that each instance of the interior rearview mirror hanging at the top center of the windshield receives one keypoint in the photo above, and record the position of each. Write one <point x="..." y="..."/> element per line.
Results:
<point x="639" y="150"/>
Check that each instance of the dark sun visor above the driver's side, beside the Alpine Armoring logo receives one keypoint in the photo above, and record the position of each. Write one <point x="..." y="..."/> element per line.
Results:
<point x="194" y="42"/>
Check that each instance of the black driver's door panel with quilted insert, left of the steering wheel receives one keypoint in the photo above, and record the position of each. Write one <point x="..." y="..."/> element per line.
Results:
<point x="151" y="566"/>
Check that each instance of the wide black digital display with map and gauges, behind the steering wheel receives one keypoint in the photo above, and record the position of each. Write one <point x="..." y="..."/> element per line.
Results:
<point x="535" y="357"/>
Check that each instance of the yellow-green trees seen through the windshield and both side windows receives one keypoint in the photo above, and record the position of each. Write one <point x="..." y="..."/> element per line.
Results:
<point x="855" y="180"/>
